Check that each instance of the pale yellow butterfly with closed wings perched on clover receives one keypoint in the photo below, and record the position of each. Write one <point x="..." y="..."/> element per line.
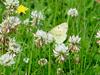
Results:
<point x="59" y="33"/>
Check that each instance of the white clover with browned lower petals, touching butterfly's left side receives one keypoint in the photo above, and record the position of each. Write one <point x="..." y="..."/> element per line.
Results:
<point x="43" y="38"/>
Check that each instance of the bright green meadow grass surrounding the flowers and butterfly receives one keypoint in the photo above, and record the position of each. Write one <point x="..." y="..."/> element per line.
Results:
<point x="55" y="11"/>
